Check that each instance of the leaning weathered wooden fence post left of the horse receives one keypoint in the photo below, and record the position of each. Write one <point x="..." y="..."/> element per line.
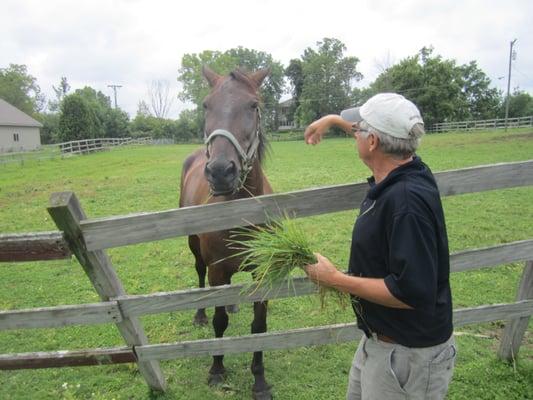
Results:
<point x="67" y="213"/>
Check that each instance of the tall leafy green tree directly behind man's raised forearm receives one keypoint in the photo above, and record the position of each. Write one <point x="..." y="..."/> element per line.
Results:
<point x="326" y="80"/>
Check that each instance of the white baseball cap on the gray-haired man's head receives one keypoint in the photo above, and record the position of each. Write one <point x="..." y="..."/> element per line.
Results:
<point x="389" y="113"/>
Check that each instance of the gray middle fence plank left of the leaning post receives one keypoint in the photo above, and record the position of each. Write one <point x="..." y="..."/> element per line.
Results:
<point x="52" y="317"/>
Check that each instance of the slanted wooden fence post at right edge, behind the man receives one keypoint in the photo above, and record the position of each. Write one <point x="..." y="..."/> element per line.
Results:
<point x="514" y="330"/>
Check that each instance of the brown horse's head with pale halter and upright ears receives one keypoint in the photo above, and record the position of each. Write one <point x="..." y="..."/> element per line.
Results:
<point x="232" y="128"/>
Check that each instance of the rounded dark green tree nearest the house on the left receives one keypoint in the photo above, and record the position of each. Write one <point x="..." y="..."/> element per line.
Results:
<point x="78" y="120"/>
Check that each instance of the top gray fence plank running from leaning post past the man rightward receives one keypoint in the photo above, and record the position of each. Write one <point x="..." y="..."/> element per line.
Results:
<point x="137" y="228"/>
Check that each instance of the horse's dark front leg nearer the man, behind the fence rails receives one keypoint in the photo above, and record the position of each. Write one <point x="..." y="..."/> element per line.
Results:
<point x="261" y="389"/>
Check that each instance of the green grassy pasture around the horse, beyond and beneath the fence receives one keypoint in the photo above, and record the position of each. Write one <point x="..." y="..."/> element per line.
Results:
<point x="147" y="179"/>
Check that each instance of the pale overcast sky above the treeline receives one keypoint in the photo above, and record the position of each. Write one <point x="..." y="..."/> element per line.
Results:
<point x="131" y="43"/>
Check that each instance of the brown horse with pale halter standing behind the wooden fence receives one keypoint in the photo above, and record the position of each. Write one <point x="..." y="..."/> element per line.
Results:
<point x="228" y="168"/>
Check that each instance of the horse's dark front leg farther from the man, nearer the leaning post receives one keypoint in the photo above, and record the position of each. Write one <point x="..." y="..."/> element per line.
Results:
<point x="220" y="323"/>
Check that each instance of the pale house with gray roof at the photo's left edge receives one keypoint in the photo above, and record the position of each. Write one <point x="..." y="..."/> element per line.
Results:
<point x="18" y="131"/>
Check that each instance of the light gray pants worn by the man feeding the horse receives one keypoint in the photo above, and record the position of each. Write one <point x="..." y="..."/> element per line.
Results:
<point x="383" y="370"/>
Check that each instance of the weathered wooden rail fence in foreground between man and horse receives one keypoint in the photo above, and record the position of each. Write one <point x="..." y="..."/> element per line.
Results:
<point x="87" y="239"/>
